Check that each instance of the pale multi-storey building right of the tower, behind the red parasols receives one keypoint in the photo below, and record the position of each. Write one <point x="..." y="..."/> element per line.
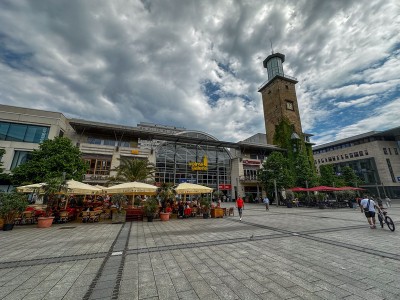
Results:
<point x="374" y="156"/>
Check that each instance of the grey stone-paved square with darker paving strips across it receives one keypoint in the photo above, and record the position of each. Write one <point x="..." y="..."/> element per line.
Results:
<point x="297" y="253"/>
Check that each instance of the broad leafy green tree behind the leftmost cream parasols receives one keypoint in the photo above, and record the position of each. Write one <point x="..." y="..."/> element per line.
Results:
<point x="51" y="160"/>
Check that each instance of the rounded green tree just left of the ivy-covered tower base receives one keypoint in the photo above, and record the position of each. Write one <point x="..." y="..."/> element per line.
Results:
<point x="276" y="167"/>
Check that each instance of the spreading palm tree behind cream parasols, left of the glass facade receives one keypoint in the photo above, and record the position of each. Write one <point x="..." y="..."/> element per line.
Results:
<point x="131" y="169"/>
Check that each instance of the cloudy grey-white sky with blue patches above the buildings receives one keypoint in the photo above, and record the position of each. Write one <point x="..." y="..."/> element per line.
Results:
<point x="198" y="64"/>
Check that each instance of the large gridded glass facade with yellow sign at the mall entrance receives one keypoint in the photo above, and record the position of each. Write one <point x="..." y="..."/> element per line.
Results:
<point x="199" y="164"/>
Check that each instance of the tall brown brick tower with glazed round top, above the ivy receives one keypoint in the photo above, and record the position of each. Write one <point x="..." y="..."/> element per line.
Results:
<point x="279" y="97"/>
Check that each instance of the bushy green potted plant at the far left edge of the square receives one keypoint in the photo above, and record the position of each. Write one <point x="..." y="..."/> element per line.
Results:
<point x="11" y="205"/>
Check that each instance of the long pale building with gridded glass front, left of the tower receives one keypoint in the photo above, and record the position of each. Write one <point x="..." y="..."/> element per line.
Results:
<point x="180" y="155"/>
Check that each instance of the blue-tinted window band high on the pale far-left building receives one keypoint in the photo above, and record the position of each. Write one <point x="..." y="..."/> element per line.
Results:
<point x="23" y="132"/>
